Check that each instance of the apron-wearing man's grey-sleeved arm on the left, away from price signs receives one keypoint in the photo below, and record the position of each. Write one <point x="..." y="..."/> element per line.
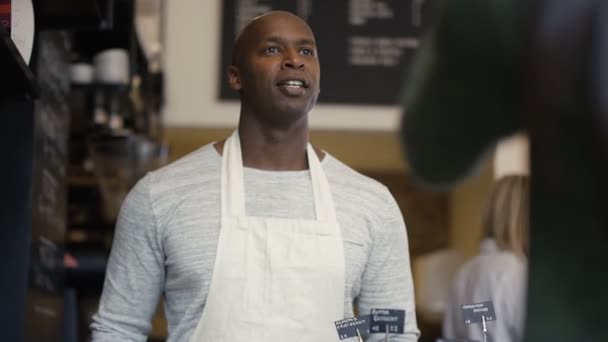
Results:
<point x="135" y="274"/>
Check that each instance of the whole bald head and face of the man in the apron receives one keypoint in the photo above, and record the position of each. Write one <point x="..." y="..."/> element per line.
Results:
<point x="277" y="68"/>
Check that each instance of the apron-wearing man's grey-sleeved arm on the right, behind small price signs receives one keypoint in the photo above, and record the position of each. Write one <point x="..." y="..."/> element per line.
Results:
<point x="387" y="280"/>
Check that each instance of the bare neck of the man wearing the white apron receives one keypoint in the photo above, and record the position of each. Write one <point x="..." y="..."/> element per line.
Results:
<point x="278" y="149"/>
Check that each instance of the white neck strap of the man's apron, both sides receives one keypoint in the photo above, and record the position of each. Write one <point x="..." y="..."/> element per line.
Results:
<point x="233" y="188"/>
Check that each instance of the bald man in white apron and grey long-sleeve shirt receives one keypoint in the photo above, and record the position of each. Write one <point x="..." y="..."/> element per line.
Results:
<point x="274" y="277"/>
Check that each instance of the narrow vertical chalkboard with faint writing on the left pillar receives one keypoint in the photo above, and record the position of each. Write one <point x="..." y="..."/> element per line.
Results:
<point x="51" y="127"/>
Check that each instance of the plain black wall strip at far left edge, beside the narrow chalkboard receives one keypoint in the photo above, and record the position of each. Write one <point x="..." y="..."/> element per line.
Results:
<point x="16" y="145"/>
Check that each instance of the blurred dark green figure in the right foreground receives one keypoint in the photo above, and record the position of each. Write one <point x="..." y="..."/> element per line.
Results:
<point x="492" y="67"/>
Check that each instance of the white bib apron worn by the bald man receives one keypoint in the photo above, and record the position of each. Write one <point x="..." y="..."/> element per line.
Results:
<point x="274" y="279"/>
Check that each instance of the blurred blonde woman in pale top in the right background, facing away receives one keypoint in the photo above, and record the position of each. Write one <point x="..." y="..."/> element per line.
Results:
<point x="499" y="272"/>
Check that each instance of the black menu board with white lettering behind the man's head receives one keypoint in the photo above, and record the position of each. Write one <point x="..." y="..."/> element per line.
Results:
<point x="365" y="46"/>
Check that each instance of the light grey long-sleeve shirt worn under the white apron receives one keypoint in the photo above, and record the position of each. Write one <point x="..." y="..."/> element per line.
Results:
<point x="168" y="228"/>
